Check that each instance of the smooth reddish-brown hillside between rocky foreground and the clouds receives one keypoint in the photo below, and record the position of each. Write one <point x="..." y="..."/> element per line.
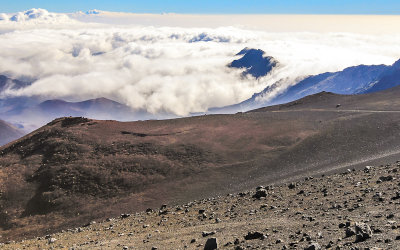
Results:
<point x="76" y="166"/>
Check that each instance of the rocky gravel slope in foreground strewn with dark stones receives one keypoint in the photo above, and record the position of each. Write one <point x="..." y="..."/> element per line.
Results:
<point x="354" y="209"/>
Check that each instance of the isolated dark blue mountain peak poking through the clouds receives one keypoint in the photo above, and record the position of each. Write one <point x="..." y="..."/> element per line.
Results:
<point x="255" y="62"/>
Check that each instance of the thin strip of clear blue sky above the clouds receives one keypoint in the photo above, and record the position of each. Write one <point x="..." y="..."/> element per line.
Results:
<point x="212" y="6"/>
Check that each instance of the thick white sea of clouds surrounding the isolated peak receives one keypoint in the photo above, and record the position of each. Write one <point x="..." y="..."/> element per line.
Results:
<point x="156" y="68"/>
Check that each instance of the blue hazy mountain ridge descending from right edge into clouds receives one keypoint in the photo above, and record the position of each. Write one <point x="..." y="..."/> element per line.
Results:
<point x="352" y="80"/>
